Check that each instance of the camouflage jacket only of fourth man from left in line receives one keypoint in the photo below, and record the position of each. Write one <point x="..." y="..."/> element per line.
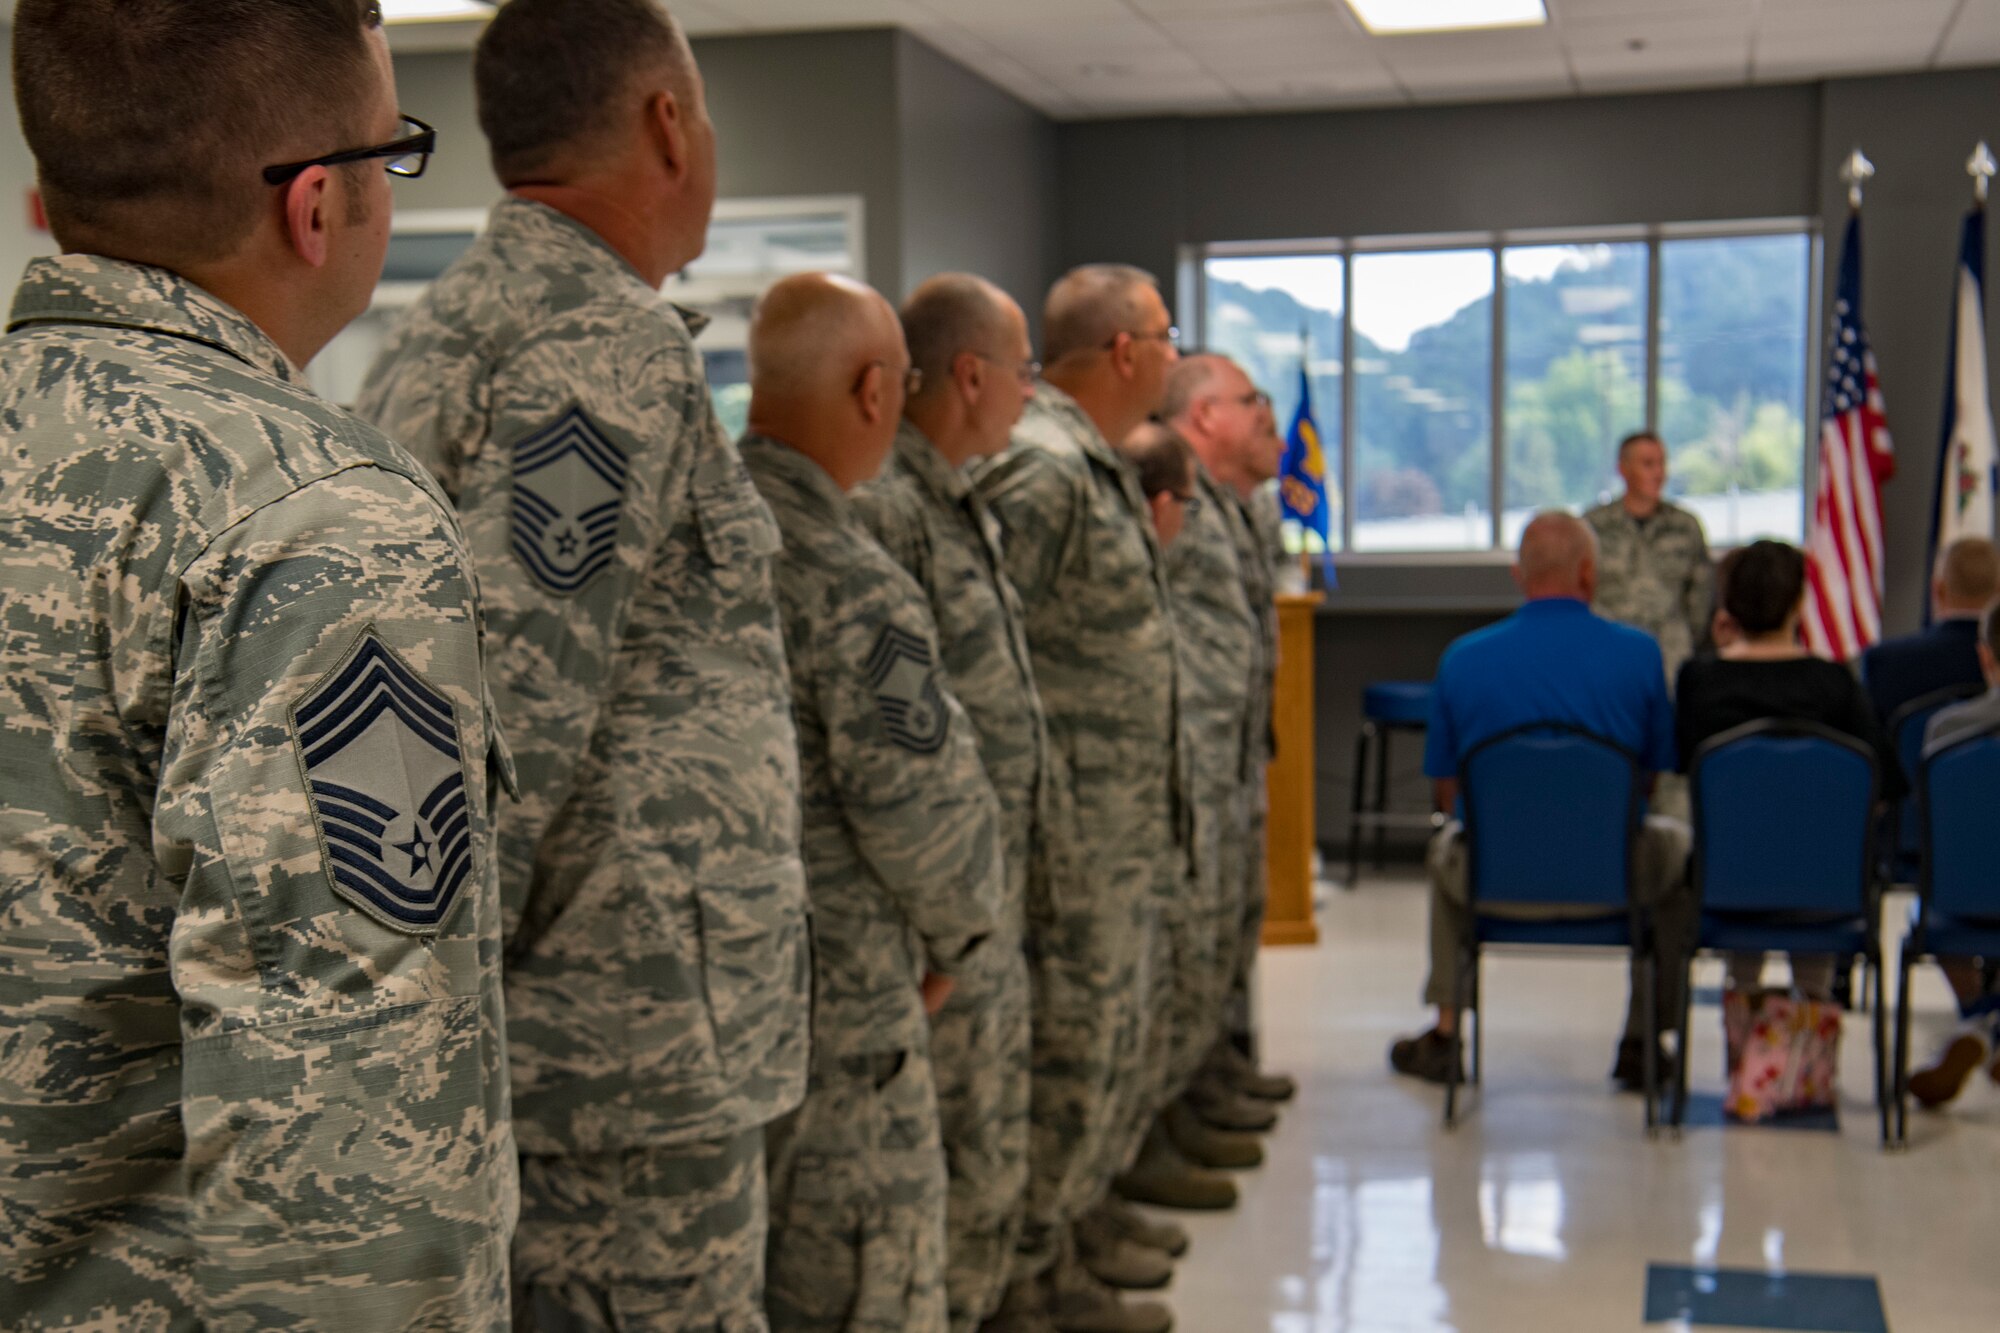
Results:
<point x="937" y="527"/>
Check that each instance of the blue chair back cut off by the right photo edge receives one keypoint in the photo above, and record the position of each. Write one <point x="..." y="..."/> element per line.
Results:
<point x="1959" y="792"/>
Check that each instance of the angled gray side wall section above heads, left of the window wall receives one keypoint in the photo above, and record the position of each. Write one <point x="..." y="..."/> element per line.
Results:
<point x="979" y="179"/>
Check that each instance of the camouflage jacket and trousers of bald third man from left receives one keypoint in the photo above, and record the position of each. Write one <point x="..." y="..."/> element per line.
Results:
<point x="903" y="860"/>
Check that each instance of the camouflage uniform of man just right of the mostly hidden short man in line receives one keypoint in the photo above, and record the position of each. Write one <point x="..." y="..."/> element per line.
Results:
<point x="1217" y="639"/>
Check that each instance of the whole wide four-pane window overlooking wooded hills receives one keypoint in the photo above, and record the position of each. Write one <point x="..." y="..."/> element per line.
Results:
<point x="1697" y="333"/>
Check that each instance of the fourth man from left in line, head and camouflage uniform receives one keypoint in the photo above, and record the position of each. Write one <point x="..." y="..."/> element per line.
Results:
<point x="971" y="345"/>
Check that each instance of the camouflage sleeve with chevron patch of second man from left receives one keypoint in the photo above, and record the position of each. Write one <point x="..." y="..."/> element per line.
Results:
<point x="593" y="419"/>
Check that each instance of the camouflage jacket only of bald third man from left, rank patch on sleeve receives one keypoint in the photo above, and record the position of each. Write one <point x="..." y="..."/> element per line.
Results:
<point x="903" y="850"/>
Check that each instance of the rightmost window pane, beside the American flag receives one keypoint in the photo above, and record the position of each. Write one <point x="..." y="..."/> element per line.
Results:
<point x="1733" y="381"/>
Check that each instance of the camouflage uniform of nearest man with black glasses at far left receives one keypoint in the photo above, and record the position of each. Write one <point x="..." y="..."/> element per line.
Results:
<point x="251" y="1038"/>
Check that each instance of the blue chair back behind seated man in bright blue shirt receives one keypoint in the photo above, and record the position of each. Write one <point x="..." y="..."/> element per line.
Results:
<point x="1551" y="818"/>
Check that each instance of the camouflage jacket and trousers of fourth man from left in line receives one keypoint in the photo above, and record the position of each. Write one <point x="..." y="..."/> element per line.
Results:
<point x="929" y="517"/>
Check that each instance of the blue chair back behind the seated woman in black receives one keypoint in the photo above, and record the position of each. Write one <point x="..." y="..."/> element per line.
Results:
<point x="1785" y="822"/>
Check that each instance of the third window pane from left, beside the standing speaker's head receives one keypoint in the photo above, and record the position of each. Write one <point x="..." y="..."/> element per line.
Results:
<point x="1575" y="373"/>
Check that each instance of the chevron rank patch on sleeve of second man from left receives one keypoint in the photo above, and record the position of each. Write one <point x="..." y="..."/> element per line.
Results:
<point x="569" y="493"/>
